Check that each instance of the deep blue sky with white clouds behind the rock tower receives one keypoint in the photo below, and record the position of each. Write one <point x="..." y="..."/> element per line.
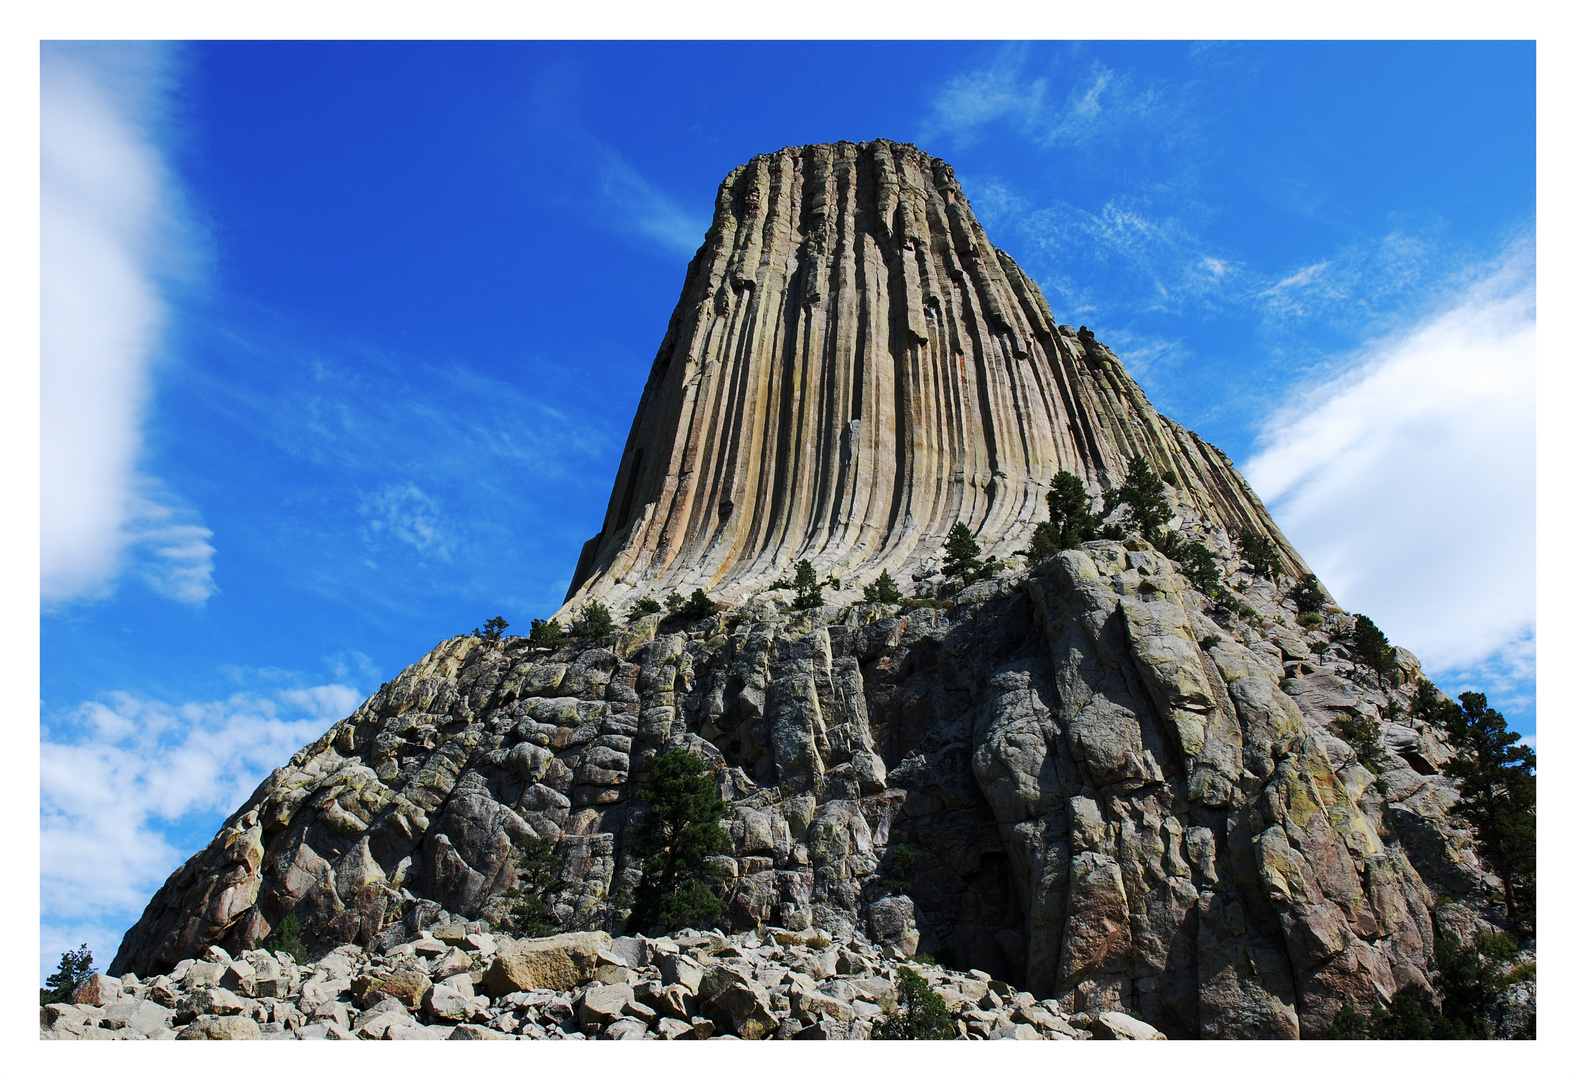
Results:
<point x="341" y="343"/>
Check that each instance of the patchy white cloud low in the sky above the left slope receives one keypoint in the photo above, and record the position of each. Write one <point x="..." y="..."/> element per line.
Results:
<point x="125" y="784"/>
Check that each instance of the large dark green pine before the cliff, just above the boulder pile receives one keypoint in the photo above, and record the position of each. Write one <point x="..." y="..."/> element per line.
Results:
<point x="677" y="838"/>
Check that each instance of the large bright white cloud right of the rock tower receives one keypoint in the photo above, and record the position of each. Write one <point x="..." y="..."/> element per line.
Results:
<point x="1408" y="483"/>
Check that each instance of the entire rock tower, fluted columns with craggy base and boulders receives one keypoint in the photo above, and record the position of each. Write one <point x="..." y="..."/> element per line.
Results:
<point x="1096" y="776"/>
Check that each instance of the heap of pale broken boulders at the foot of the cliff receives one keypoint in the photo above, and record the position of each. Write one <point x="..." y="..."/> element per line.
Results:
<point x="463" y="981"/>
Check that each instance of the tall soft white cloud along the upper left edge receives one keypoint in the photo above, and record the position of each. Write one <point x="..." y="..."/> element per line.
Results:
<point x="113" y="242"/>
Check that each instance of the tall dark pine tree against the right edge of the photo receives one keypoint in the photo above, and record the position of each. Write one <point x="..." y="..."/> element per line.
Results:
<point x="1500" y="799"/>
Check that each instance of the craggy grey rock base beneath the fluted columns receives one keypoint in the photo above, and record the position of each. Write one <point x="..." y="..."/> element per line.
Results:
<point x="1118" y="795"/>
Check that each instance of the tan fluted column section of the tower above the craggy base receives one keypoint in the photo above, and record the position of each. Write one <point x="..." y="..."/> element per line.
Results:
<point x="852" y="370"/>
